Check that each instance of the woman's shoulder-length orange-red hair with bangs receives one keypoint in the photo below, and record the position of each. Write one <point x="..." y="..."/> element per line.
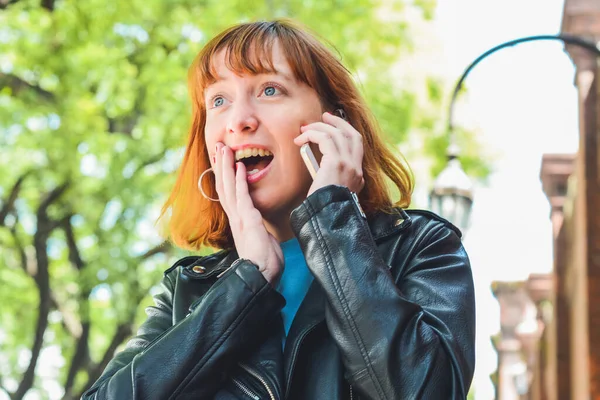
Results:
<point x="195" y="221"/>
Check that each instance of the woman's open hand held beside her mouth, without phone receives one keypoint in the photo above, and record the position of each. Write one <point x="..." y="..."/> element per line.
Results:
<point x="252" y="240"/>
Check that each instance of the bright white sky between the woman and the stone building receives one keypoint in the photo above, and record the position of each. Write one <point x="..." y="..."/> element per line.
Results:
<point x="523" y="103"/>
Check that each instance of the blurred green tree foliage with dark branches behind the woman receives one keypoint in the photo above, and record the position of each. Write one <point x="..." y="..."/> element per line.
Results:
<point x="93" y="114"/>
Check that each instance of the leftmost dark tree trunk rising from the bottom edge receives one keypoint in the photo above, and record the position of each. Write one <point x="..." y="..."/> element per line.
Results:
<point x="42" y="280"/>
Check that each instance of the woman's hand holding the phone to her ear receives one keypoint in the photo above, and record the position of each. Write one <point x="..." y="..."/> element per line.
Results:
<point x="342" y="148"/>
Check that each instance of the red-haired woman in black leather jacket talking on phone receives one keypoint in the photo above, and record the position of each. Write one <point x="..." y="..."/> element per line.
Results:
<point x="323" y="289"/>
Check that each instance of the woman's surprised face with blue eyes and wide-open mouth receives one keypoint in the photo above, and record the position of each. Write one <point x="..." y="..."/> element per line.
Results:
<point x="263" y="114"/>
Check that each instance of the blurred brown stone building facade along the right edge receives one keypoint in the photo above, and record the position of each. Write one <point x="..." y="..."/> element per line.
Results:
<point x="549" y="344"/>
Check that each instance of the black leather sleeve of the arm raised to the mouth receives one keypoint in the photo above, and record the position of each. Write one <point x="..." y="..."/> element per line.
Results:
<point x="190" y="359"/>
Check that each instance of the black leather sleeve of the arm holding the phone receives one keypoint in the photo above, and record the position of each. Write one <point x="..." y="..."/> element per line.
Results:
<point x="412" y="338"/>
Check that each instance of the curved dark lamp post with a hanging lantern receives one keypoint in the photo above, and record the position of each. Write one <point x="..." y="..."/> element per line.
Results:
<point x="452" y="192"/>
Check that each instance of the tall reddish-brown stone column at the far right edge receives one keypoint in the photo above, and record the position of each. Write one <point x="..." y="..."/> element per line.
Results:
<point x="582" y="18"/>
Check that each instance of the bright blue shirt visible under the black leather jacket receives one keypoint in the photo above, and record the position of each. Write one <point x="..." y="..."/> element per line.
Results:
<point x="294" y="283"/>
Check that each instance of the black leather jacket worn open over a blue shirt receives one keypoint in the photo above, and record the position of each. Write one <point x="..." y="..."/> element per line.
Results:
<point x="390" y="315"/>
